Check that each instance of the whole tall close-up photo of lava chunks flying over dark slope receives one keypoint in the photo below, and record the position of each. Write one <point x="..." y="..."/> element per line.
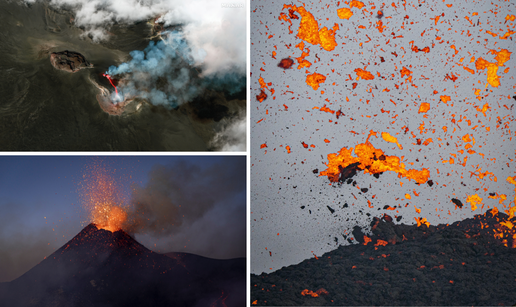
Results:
<point x="382" y="153"/>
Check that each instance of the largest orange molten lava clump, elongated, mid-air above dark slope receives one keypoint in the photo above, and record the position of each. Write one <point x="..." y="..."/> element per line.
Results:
<point x="372" y="161"/>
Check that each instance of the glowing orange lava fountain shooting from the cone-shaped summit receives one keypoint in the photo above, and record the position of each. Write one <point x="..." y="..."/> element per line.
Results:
<point x="102" y="198"/>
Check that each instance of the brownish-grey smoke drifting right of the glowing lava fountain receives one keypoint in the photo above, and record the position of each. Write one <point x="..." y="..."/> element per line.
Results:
<point x="185" y="205"/>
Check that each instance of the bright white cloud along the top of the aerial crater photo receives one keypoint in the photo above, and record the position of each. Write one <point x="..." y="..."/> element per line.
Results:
<point x="216" y="33"/>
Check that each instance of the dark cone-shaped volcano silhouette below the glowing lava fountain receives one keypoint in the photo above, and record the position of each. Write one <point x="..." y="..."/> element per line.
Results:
<point x="103" y="268"/>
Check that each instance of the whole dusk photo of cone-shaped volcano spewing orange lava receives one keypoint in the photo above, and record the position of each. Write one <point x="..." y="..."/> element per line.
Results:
<point x="157" y="245"/>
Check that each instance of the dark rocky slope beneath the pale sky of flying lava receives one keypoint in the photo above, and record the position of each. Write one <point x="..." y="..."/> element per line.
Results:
<point x="459" y="264"/>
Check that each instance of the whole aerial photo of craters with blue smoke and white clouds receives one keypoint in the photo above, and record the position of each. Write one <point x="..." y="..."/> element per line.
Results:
<point x="122" y="75"/>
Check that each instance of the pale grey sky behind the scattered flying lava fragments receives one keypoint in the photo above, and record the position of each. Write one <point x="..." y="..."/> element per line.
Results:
<point x="282" y="233"/>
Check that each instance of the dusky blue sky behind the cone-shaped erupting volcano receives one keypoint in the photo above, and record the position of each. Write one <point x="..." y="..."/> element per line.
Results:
<point x="42" y="206"/>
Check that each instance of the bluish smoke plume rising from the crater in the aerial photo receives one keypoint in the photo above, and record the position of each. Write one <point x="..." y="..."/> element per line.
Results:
<point x="163" y="74"/>
